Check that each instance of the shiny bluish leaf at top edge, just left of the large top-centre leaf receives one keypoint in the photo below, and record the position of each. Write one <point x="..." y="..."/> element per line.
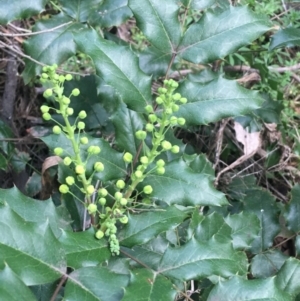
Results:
<point x="111" y="13"/>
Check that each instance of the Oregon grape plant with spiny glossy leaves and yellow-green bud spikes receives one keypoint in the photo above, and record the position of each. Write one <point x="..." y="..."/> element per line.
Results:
<point x="136" y="215"/>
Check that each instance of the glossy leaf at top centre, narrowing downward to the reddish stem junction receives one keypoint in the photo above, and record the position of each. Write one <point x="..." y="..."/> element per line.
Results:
<point x="158" y="20"/>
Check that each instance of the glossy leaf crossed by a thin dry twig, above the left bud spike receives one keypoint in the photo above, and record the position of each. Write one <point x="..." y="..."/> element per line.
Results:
<point x="50" y="47"/>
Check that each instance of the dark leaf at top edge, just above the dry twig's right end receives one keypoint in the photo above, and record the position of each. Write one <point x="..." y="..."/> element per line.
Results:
<point x="80" y="10"/>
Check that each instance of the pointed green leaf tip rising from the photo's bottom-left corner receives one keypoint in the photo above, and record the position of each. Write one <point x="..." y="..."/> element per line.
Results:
<point x="12" y="288"/>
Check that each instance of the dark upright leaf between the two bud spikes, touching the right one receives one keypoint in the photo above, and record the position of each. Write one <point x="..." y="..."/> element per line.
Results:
<point x="126" y="123"/>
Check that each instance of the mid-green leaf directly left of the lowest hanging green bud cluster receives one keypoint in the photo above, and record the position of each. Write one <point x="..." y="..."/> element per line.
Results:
<point x="83" y="249"/>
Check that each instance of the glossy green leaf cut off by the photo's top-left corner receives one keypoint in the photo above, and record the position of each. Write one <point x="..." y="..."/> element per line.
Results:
<point x="14" y="9"/>
